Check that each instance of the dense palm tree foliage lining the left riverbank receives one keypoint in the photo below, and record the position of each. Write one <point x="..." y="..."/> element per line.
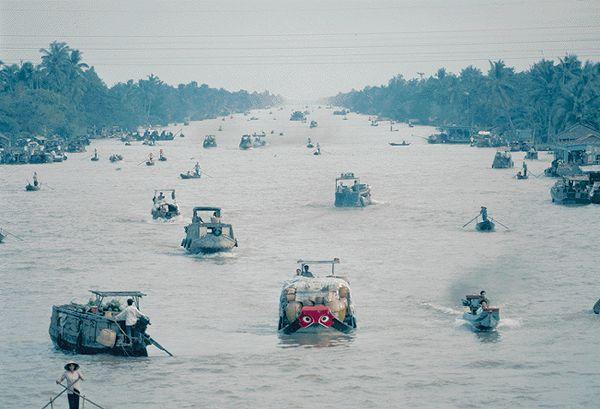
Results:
<point x="64" y="96"/>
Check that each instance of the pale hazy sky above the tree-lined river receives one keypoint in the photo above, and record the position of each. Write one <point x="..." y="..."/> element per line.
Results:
<point x="301" y="49"/>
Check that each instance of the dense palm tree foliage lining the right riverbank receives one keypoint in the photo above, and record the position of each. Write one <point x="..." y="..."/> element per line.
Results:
<point x="546" y="98"/>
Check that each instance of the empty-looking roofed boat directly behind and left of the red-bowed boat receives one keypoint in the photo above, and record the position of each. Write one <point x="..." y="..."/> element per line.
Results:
<point x="210" y="235"/>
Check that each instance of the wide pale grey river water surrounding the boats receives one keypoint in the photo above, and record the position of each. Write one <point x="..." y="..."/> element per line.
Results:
<point x="407" y="257"/>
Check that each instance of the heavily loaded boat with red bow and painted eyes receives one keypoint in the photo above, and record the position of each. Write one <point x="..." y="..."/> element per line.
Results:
<point x="313" y="304"/>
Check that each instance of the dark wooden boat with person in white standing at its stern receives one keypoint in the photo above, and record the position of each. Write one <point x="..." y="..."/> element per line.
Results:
<point x="90" y="329"/>
